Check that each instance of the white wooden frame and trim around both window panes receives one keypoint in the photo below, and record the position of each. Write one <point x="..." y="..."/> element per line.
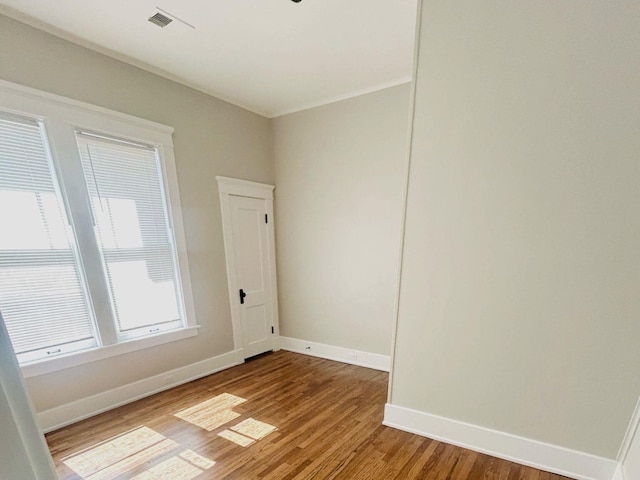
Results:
<point x="62" y="117"/>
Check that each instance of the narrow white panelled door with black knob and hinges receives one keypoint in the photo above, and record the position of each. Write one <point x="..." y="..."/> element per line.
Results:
<point x="251" y="251"/>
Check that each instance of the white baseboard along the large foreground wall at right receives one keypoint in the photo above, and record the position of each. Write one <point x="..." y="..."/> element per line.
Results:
<point x="543" y="456"/>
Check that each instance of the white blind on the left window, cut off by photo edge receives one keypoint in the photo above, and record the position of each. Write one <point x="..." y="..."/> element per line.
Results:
<point x="42" y="297"/>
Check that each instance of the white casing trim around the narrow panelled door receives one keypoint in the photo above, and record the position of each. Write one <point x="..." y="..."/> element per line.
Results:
<point x="232" y="186"/>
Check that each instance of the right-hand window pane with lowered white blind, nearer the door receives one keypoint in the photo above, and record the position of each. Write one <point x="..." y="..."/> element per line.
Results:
<point x="127" y="200"/>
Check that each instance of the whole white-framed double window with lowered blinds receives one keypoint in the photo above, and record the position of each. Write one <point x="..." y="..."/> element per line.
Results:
<point x="92" y="252"/>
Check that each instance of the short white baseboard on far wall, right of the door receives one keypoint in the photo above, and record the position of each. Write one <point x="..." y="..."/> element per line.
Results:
<point x="340" y="354"/>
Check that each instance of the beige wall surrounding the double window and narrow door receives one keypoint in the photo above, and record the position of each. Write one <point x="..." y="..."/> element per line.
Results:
<point x="211" y="138"/>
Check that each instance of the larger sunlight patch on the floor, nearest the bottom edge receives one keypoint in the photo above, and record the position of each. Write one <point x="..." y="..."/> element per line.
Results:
<point x="137" y="451"/>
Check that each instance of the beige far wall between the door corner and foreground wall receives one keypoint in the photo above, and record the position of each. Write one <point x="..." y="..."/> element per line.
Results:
<point x="340" y="173"/>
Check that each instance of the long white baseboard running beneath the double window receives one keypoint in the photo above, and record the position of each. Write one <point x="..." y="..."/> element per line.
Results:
<point x="72" y="412"/>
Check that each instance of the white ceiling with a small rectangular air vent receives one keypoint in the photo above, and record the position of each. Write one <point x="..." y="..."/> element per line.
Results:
<point x="269" y="56"/>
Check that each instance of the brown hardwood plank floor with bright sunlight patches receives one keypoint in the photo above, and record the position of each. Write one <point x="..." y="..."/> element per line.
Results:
<point x="282" y="416"/>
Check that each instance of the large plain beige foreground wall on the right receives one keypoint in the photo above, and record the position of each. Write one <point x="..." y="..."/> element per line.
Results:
<point x="519" y="304"/>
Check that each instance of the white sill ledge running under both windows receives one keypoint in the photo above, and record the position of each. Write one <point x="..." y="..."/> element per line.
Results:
<point x="87" y="356"/>
